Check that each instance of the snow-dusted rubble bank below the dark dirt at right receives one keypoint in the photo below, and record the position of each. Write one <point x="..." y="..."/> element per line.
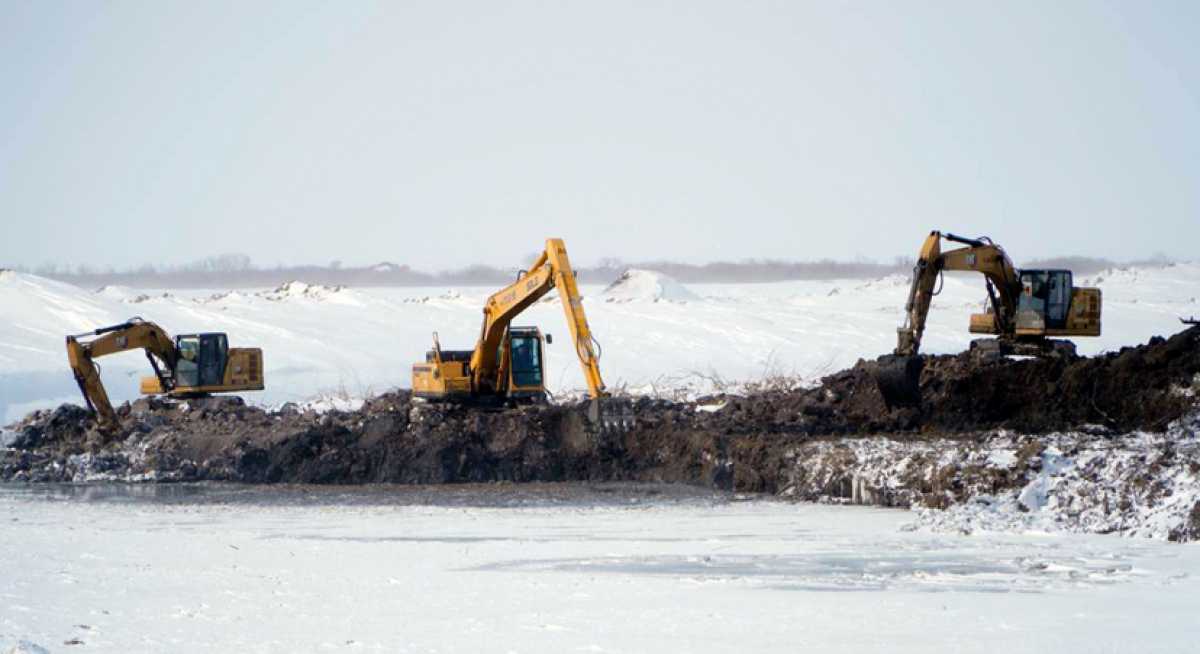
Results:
<point x="1145" y="485"/>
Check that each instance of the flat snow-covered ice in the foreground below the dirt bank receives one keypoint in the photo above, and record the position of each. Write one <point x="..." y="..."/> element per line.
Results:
<point x="559" y="569"/>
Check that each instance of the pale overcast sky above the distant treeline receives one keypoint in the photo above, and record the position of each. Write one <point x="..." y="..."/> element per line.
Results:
<point x="446" y="134"/>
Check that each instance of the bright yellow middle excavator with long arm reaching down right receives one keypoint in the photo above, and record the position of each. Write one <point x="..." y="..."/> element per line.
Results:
<point x="508" y="364"/>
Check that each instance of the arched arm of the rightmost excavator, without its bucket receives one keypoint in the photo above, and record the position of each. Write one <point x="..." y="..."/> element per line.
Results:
<point x="980" y="256"/>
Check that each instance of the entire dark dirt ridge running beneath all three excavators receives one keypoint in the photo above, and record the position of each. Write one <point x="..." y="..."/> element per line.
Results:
<point x="742" y="447"/>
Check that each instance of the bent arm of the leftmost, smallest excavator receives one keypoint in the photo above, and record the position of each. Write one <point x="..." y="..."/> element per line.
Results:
<point x="135" y="334"/>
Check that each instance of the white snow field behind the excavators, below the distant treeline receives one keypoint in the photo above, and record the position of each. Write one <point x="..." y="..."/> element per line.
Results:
<point x="657" y="335"/>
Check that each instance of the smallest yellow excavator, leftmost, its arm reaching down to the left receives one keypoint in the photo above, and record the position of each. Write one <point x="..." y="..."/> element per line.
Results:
<point x="191" y="365"/>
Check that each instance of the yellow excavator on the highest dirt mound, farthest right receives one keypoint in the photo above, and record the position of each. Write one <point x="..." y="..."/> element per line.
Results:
<point x="1027" y="309"/>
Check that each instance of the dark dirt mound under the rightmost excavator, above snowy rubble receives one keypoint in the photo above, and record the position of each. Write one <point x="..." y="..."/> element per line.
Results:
<point x="1138" y="388"/>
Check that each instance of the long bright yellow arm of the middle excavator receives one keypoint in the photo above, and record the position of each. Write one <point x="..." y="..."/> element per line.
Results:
<point x="551" y="271"/>
